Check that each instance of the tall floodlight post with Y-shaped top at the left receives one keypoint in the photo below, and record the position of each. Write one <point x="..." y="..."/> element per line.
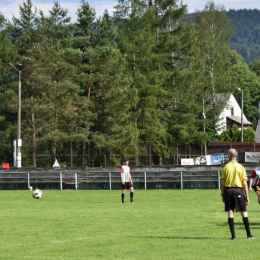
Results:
<point x="19" y="140"/>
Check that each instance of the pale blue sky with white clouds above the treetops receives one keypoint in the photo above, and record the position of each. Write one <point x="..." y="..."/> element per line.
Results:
<point x="11" y="7"/>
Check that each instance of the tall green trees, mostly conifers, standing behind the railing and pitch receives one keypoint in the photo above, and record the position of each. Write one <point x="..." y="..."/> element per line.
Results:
<point x="124" y="85"/>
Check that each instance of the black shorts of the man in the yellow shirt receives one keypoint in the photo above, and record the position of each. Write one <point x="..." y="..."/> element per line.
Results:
<point x="235" y="199"/>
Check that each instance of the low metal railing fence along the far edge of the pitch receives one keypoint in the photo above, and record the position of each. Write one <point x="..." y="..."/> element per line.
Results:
<point x="110" y="180"/>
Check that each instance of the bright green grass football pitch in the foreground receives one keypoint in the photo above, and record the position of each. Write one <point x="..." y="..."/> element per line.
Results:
<point x="84" y="224"/>
